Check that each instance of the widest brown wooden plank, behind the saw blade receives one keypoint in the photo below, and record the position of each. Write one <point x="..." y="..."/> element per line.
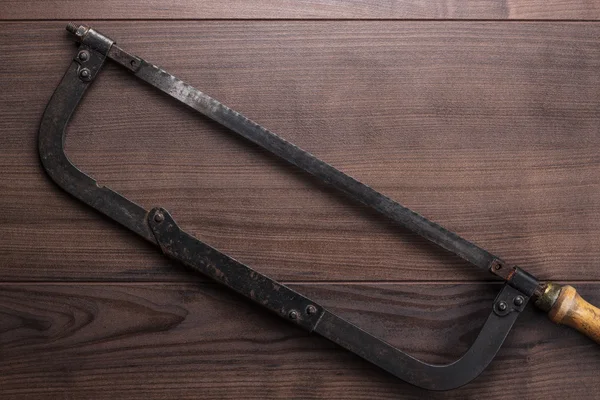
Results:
<point x="488" y="128"/>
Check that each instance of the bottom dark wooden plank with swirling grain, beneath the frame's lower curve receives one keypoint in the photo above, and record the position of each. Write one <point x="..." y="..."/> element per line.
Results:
<point x="180" y="341"/>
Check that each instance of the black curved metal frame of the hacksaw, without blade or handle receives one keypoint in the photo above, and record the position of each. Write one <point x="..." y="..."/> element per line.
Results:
<point x="158" y="227"/>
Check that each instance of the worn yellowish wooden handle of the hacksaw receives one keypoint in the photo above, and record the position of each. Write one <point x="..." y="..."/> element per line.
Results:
<point x="571" y="310"/>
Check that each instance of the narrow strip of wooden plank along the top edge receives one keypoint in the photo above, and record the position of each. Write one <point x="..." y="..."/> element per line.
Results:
<point x="301" y="9"/>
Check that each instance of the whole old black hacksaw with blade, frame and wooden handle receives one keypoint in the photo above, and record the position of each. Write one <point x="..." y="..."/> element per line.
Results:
<point x="562" y="303"/>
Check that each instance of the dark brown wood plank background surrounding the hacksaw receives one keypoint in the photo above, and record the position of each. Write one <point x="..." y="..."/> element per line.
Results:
<point x="481" y="115"/>
